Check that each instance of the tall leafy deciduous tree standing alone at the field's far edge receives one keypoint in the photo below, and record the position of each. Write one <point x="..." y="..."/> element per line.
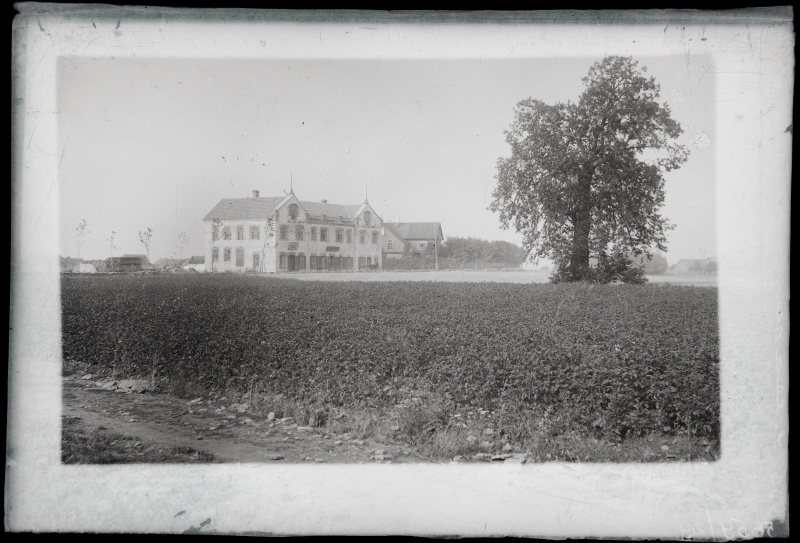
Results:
<point x="586" y="179"/>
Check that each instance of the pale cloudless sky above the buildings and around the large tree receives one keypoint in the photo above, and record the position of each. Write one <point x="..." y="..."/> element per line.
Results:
<point x="157" y="143"/>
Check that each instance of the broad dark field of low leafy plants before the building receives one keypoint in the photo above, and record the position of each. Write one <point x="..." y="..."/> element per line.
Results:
<point x="528" y="361"/>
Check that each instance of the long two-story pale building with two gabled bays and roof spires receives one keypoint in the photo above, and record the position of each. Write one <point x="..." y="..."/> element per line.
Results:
<point x="283" y="234"/>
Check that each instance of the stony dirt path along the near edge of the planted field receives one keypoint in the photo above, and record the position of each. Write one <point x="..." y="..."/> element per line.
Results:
<point x="228" y="435"/>
